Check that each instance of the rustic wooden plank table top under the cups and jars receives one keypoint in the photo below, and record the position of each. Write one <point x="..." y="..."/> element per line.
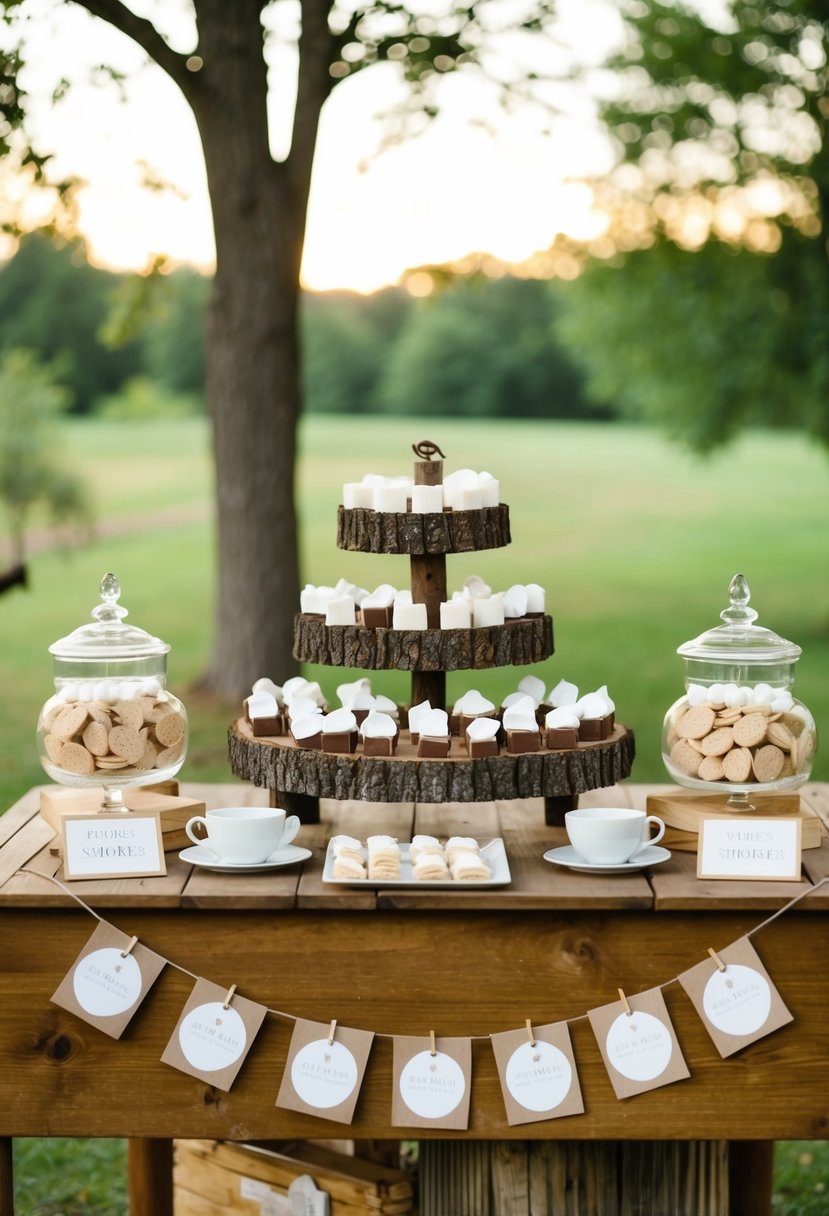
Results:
<point x="27" y="842"/>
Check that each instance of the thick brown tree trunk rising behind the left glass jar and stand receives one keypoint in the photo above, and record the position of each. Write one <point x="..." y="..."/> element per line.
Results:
<point x="253" y="381"/>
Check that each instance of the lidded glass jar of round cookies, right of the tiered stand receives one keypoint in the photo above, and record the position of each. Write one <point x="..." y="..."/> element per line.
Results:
<point x="738" y="728"/>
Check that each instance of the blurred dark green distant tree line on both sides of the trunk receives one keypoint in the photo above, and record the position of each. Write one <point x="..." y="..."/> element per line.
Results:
<point x="127" y="347"/>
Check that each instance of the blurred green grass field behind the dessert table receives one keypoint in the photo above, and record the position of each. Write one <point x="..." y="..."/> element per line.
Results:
<point x="634" y="539"/>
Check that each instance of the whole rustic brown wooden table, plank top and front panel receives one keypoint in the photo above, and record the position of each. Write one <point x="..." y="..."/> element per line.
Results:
<point x="550" y="947"/>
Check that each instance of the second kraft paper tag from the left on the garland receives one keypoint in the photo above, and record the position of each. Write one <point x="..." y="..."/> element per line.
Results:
<point x="212" y="1042"/>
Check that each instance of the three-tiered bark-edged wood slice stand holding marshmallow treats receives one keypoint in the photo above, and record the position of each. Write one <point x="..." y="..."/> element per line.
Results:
<point x="298" y="778"/>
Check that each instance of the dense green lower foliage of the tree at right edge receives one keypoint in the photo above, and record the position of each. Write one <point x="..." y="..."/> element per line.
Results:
<point x="704" y="344"/>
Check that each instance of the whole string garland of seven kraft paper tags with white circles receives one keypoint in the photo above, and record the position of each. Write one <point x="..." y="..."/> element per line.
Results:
<point x="732" y="993"/>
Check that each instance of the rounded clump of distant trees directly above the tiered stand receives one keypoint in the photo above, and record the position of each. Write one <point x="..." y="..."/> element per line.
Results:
<point x="483" y="350"/>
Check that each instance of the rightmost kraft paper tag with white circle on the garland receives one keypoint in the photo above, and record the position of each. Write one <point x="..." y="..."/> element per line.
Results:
<point x="737" y="1006"/>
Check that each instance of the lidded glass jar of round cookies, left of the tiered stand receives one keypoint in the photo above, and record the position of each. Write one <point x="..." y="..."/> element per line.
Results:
<point x="111" y="722"/>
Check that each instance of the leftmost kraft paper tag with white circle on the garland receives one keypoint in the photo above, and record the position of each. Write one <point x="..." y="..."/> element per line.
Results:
<point x="108" y="982"/>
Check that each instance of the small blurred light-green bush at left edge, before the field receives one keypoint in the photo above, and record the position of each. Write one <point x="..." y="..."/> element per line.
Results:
<point x="31" y="469"/>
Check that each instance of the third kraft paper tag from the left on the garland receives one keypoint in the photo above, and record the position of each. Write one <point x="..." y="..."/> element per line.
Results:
<point x="324" y="1078"/>
